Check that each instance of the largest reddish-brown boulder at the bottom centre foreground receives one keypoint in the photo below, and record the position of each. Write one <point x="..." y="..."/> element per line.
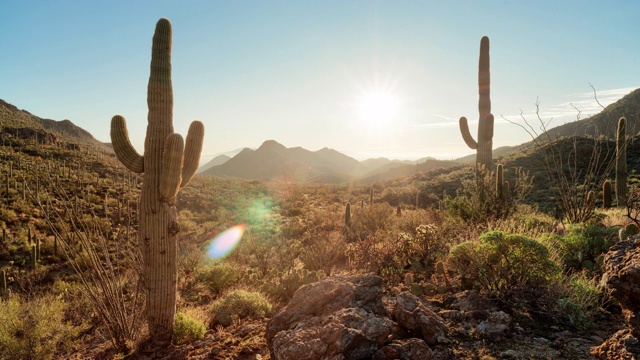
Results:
<point x="339" y="317"/>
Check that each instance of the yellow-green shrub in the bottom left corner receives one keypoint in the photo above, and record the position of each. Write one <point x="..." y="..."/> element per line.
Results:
<point x="34" y="329"/>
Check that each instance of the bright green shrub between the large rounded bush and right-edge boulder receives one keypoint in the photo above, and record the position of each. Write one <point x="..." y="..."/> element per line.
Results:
<point x="581" y="246"/>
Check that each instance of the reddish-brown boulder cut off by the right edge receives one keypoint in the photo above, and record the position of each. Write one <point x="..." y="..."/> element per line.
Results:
<point x="622" y="276"/>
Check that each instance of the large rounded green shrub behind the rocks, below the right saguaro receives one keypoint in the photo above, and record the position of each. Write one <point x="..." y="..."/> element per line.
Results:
<point x="504" y="265"/>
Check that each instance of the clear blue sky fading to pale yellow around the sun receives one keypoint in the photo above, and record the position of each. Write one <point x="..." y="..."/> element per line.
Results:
<point x="366" y="78"/>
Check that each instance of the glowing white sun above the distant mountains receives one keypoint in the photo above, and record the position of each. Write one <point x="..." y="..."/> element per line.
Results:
<point x="377" y="107"/>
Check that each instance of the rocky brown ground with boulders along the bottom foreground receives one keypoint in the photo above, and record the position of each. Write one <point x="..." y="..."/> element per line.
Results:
<point x="349" y="317"/>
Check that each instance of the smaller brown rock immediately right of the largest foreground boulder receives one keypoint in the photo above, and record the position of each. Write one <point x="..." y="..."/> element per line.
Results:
<point x="413" y="314"/>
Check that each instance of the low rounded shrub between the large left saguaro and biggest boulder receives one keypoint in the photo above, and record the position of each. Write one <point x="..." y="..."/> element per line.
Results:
<point x="240" y="304"/>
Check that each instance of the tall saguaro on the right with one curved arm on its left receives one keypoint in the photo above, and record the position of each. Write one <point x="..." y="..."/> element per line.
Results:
<point x="484" y="144"/>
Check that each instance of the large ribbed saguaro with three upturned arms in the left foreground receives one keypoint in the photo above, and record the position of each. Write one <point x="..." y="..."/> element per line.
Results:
<point x="167" y="164"/>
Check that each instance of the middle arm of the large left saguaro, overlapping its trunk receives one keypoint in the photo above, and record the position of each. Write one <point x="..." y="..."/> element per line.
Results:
<point x="171" y="175"/>
